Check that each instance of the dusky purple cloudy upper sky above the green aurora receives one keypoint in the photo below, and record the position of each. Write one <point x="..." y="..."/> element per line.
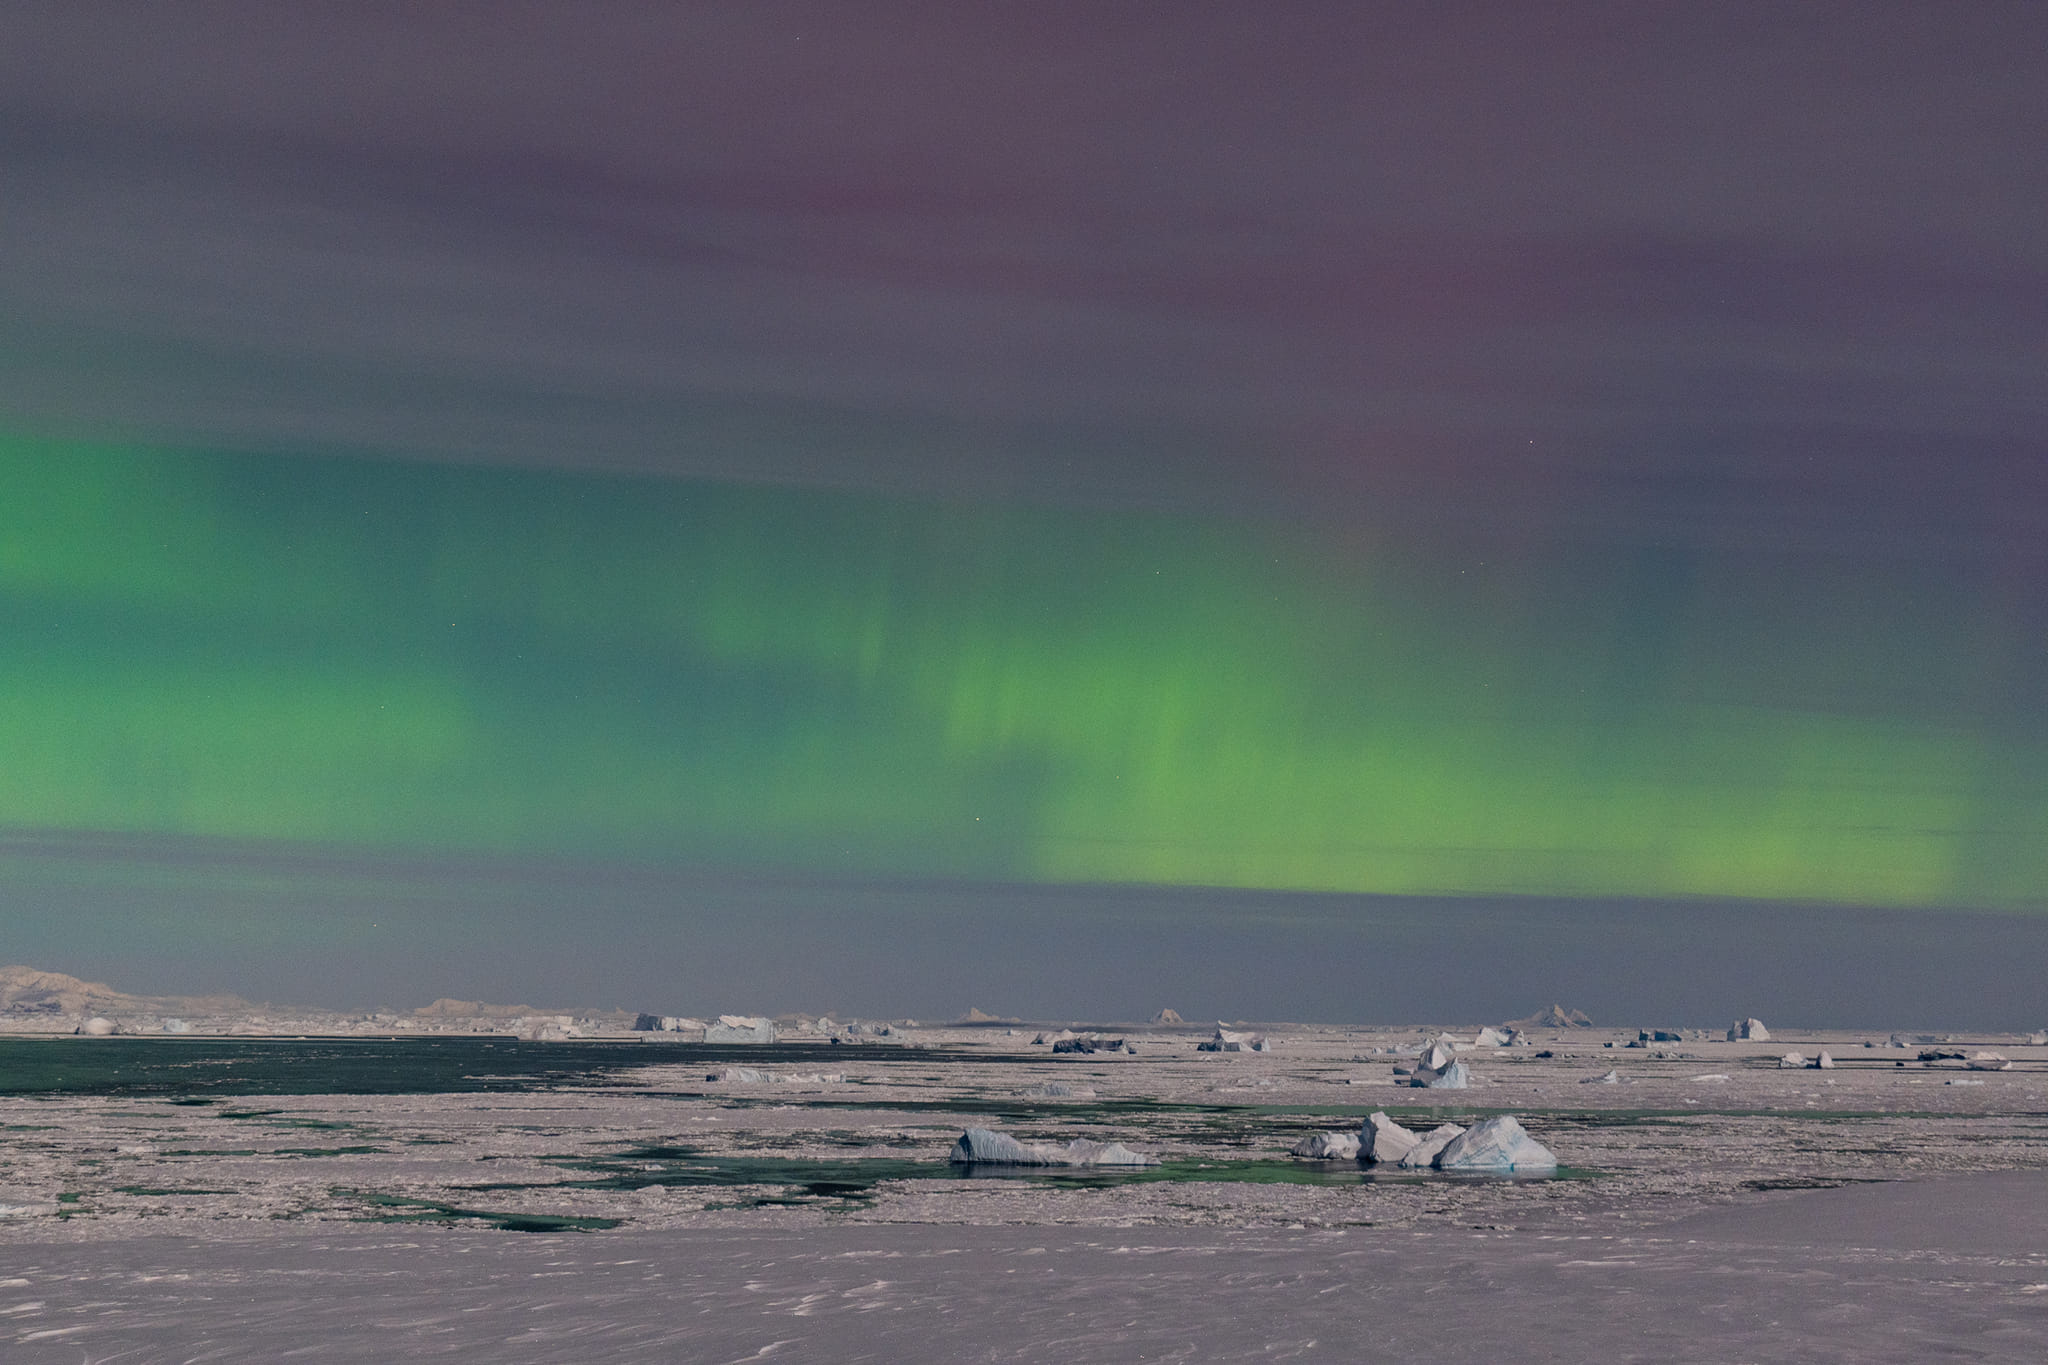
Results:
<point x="1721" y="273"/>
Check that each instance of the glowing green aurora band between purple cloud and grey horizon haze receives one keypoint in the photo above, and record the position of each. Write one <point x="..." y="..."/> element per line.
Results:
<point x="482" y="660"/>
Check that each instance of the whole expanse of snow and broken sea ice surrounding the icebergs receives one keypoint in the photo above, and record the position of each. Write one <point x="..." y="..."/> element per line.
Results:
<point x="1711" y="1206"/>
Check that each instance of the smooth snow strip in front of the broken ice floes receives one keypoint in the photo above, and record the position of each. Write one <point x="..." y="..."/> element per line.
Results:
<point x="1908" y="1272"/>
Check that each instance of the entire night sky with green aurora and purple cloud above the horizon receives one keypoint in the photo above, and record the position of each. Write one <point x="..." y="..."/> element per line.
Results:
<point x="1273" y="511"/>
